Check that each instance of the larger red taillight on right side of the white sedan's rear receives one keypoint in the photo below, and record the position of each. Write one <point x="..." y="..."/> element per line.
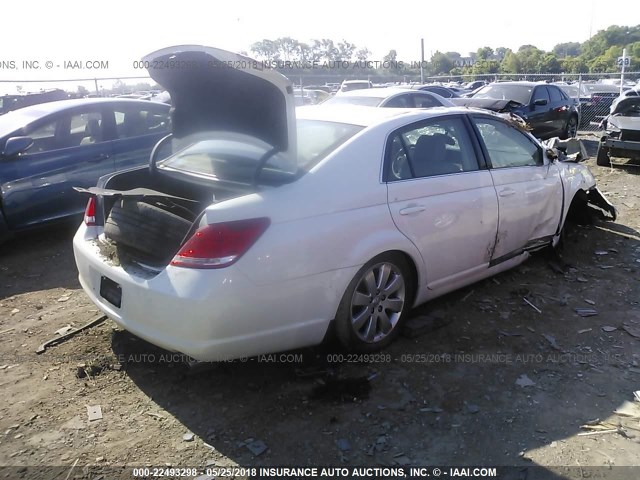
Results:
<point x="221" y="244"/>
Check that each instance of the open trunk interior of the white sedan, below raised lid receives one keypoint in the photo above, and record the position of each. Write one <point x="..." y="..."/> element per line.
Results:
<point x="144" y="232"/>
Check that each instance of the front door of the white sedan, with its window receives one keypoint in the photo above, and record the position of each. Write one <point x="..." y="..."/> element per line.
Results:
<point x="529" y="188"/>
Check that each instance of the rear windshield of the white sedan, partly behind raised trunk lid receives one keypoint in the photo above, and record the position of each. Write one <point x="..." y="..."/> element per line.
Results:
<point x="237" y="161"/>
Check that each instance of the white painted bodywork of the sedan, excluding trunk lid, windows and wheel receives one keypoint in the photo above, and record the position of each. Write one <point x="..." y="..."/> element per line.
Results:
<point x="284" y="291"/>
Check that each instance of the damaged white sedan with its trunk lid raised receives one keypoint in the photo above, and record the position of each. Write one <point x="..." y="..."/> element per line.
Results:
<point x="265" y="230"/>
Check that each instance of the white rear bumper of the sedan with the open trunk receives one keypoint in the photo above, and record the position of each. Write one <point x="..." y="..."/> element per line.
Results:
<point x="210" y="315"/>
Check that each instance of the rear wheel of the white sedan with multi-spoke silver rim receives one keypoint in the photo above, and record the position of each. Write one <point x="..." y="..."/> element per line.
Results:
<point x="375" y="304"/>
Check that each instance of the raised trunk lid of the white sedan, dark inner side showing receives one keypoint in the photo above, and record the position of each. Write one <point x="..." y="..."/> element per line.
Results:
<point x="213" y="90"/>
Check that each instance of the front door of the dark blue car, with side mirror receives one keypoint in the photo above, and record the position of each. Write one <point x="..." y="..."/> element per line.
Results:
<point x="70" y="149"/>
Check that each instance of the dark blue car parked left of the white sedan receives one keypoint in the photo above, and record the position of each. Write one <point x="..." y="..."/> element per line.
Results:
<point x="47" y="149"/>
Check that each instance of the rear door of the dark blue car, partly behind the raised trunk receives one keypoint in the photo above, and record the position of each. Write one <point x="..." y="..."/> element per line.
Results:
<point x="138" y="127"/>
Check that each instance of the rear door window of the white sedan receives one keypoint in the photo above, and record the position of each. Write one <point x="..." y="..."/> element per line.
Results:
<point x="436" y="147"/>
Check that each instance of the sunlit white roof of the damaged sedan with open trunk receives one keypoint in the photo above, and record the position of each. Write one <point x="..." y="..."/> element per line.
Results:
<point x="369" y="116"/>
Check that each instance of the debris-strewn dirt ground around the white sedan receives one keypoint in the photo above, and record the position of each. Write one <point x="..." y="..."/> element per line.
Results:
<point x="502" y="382"/>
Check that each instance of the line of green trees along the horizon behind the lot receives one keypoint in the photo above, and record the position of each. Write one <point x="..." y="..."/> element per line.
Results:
<point x="596" y="55"/>
